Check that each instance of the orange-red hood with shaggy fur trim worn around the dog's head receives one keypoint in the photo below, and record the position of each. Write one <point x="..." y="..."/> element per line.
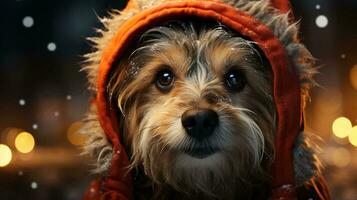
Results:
<point x="268" y="23"/>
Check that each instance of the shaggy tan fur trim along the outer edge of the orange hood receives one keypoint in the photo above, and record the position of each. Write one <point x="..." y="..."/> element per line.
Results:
<point x="97" y="145"/>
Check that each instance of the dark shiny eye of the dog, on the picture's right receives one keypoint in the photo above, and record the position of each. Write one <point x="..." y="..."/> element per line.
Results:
<point x="235" y="80"/>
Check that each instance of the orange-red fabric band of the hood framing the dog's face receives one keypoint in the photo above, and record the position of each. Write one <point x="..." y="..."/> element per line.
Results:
<point x="286" y="83"/>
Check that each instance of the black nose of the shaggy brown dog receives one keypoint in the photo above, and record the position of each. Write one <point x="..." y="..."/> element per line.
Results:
<point x="199" y="123"/>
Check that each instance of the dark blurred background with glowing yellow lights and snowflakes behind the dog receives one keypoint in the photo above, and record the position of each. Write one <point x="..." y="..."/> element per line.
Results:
<point x="44" y="96"/>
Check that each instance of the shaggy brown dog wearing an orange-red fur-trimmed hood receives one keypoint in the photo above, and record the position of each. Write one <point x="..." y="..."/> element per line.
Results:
<point x="197" y="107"/>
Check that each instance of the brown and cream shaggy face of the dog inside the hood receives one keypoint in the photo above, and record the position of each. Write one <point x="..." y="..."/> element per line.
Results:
<point x="197" y="105"/>
